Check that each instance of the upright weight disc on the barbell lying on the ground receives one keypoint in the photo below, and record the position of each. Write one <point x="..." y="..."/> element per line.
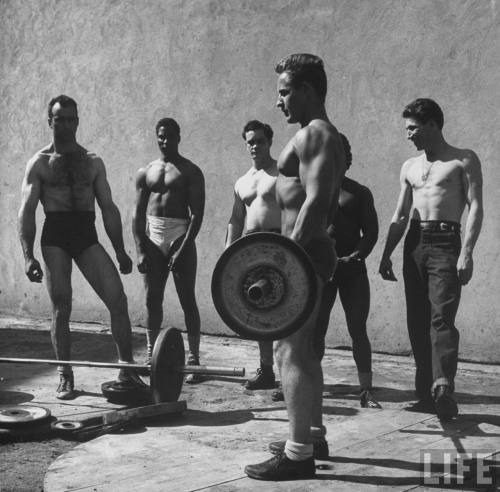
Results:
<point x="168" y="353"/>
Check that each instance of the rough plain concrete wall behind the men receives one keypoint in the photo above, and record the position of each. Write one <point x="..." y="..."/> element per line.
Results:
<point x="209" y="64"/>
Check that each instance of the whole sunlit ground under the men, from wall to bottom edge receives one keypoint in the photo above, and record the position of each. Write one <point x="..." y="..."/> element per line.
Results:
<point x="227" y="427"/>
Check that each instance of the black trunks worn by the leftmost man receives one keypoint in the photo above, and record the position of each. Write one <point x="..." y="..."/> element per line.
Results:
<point x="72" y="231"/>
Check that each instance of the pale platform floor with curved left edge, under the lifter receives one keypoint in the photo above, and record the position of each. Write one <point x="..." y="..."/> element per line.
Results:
<point x="369" y="449"/>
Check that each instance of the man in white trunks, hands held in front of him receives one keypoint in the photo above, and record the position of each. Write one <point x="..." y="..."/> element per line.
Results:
<point x="170" y="201"/>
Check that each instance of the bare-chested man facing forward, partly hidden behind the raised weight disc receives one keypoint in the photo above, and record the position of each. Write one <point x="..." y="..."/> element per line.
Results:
<point x="255" y="202"/>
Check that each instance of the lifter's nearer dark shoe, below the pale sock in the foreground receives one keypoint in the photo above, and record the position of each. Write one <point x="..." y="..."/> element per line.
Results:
<point x="279" y="467"/>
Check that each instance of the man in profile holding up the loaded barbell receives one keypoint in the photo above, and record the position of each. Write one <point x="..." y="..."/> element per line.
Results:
<point x="311" y="167"/>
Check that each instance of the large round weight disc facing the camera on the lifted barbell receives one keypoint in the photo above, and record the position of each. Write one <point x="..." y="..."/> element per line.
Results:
<point x="264" y="286"/>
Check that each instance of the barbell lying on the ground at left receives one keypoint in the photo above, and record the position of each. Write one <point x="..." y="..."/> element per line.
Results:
<point x="166" y="371"/>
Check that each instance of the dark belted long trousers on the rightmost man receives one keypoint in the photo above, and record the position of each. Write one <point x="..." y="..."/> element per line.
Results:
<point x="432" y="292"/>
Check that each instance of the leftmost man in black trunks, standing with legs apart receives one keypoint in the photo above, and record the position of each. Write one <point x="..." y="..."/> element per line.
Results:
<point x="67" y="179"/>
